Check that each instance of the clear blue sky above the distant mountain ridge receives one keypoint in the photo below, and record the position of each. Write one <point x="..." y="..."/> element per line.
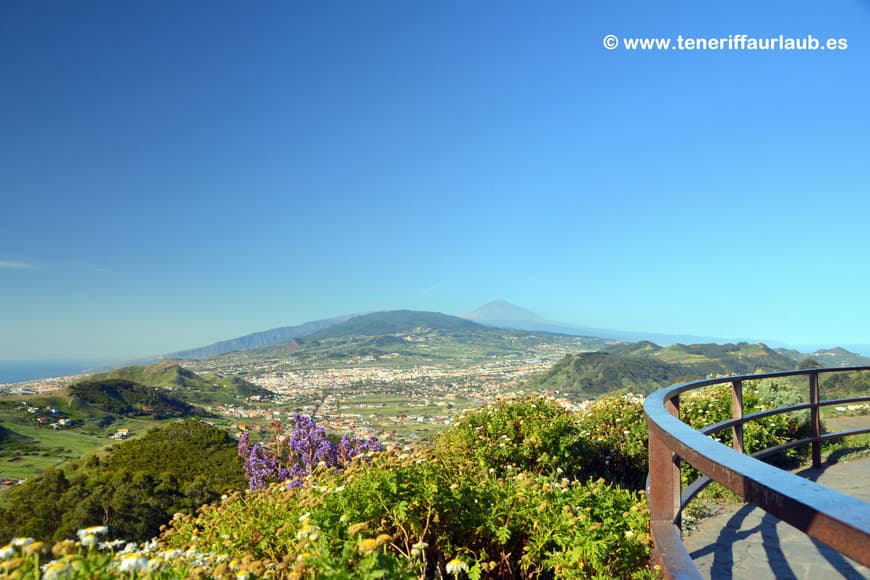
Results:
<point x="176" y="173"/>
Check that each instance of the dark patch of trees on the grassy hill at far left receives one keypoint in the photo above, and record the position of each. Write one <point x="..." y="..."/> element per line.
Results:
<point x="123" y="397"/>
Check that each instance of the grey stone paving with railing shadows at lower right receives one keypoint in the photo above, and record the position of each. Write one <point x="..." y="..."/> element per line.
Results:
<point x="745" y="542"/>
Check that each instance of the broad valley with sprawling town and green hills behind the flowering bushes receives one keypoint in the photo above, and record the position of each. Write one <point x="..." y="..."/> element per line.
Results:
<point x="403" y="376"/>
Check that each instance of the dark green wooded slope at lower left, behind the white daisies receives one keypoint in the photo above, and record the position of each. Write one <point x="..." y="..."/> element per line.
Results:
<point x="133" y="488"/>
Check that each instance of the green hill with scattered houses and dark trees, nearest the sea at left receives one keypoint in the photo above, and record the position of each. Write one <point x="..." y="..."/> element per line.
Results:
<point x="47" y="429"/>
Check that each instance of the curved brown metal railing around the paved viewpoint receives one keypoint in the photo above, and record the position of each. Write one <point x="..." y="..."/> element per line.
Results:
<point x="840" y="521"/>
